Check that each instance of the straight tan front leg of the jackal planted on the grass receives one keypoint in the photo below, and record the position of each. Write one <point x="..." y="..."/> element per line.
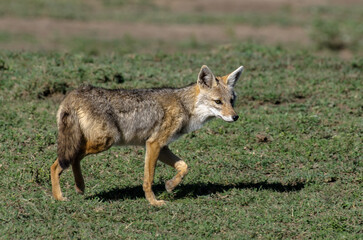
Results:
<point x="152" y="153"/>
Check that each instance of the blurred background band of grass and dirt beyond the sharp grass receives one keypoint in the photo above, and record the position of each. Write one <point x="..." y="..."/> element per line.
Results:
<point x="126" y="26"/>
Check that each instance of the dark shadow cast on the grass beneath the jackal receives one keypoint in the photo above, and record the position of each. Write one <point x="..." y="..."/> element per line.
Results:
<point x="193" y="190"/>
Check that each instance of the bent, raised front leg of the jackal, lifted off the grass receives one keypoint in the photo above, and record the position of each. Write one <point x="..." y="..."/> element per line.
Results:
<point x="166" y="156"/>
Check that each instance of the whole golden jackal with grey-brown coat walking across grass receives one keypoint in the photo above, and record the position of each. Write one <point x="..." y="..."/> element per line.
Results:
<point x="91" y="120"/>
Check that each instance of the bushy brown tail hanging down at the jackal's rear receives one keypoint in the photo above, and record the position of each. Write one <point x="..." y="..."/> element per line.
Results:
<point x="70" y="138"/>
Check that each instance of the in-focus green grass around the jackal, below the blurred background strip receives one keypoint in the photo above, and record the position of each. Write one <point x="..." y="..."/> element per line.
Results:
<point x="291" y="167"/>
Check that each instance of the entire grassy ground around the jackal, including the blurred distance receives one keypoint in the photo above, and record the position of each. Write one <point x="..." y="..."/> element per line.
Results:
<point x="290" y="167"/>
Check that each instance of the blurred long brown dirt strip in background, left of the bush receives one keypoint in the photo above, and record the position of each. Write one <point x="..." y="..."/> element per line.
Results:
<point x="49" y="32"/>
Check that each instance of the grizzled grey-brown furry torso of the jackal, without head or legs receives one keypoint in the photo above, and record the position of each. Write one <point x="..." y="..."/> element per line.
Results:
<point x="118" y="116"/>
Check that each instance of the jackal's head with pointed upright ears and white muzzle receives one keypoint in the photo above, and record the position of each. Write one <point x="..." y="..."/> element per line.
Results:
<point x="217" y="97"/>
